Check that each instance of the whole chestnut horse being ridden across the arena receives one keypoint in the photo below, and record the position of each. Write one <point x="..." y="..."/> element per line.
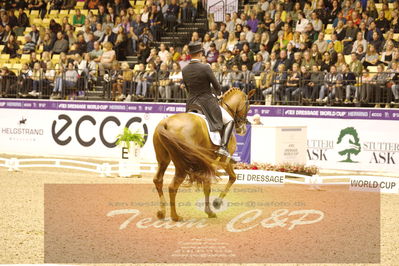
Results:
<point x="183" y="138"/>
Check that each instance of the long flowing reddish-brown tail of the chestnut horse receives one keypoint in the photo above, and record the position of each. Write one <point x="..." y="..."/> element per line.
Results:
<point x="196" y="161"/>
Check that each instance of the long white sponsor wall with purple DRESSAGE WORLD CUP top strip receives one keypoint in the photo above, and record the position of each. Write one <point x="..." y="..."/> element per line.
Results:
<point x="338" y="138"/>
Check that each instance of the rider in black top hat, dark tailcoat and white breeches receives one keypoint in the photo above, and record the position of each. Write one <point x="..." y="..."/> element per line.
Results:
<point x="197" y="77"/>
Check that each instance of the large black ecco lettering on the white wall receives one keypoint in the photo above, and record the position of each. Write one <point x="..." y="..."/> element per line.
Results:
<point x="64" y="140"/>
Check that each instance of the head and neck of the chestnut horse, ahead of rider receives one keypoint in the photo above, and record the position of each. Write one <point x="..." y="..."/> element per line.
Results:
<point x="236" y="102"/>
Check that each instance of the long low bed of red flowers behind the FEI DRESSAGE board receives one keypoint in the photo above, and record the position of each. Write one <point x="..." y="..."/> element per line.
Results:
<point x="287" y="168"/>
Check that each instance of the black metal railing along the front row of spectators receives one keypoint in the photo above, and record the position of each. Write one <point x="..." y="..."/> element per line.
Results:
<point x="271" y="88"/>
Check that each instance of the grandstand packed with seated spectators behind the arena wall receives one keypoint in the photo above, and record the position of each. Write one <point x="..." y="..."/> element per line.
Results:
<point x="272" y="46"/>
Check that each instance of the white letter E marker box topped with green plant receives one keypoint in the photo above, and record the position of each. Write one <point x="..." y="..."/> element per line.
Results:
<point x="129" y="164"/>
